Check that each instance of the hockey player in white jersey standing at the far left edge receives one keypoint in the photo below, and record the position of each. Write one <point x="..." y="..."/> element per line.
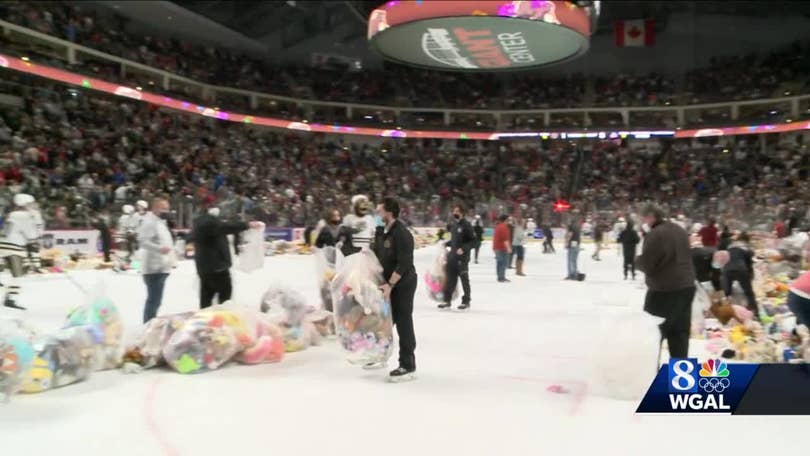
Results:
<point x="20" y="230"/>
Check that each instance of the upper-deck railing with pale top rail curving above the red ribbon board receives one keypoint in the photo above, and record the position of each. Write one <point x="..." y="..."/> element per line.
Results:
<point x="793" y="107"/>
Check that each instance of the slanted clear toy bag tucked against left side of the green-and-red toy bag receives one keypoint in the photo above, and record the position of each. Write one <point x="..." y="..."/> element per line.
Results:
<point x="147" y="351"/>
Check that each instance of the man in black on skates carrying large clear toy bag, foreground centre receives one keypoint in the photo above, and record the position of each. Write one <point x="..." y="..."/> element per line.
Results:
<point x="394" y="248"/>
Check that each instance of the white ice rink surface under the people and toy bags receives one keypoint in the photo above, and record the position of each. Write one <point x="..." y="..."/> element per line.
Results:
<point x="482" y="386"/>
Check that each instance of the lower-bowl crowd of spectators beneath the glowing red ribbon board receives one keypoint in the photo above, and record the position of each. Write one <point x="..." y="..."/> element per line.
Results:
<point x="83" y="153"/>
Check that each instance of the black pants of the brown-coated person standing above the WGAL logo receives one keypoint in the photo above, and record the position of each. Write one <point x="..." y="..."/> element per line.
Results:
<point x="676" y="309"/>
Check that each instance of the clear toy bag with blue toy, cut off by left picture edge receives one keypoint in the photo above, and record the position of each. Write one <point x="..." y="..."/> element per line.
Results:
<point x="16" y="356"/>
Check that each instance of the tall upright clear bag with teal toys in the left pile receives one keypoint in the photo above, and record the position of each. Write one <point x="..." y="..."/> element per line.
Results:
<point x="102" y="315"/>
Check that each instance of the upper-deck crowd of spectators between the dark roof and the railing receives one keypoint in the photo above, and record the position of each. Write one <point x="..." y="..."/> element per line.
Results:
<point x="735" y="78"/>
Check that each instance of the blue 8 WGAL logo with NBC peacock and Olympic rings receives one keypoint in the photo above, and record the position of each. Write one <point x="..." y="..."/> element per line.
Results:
<point x="698" y="387"/>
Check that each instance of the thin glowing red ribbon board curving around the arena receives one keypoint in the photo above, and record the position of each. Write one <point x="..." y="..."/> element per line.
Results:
<point x="26" y="66"/>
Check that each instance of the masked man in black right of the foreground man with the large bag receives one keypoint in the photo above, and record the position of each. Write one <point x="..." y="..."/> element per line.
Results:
<point x="462" y="239"/>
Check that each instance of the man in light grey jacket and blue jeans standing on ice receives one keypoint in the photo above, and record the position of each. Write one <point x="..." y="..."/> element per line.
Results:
<point x="155" y="241"/>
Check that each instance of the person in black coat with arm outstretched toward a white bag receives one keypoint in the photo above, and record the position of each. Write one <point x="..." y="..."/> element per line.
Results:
<point x="212" y="255"/>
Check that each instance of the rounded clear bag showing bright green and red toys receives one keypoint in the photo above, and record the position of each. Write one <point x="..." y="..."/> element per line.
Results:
<point x="207" y="340"/>
